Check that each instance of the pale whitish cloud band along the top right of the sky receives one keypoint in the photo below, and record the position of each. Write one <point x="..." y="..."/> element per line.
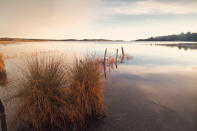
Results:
<point x="153" y="7"/>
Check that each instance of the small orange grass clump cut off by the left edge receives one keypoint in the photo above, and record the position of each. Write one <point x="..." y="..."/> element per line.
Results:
<point x="3" y="76"/>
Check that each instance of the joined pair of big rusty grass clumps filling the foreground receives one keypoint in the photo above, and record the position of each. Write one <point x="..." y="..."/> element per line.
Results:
<point x="59" y="97"/>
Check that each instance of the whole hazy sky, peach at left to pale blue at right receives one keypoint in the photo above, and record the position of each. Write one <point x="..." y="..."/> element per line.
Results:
<point x="107" y="19"/>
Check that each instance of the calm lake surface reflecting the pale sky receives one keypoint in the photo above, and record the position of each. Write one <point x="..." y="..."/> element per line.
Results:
<point x="154" y="91"/>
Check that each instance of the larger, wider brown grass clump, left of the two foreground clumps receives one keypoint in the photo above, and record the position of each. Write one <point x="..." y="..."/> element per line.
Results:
<point x="44" y="104"/>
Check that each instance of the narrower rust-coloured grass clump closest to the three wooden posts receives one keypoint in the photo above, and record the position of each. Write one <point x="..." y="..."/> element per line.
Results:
<point x="87" y="87"/>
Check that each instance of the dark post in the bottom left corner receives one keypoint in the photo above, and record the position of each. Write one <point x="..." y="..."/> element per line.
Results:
<point x="2" y="117"/>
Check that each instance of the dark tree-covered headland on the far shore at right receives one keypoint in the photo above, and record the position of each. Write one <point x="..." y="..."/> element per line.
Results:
<point x="180" y="37"/>
